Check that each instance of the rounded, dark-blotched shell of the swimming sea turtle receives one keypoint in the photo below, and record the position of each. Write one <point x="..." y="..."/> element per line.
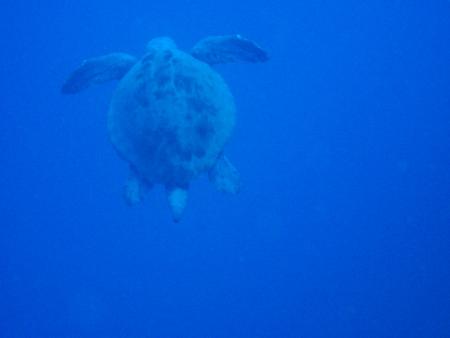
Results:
<point x="170" y="117"/>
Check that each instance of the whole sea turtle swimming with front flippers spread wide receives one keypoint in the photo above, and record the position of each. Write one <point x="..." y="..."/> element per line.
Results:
<point x="171" y="113"/>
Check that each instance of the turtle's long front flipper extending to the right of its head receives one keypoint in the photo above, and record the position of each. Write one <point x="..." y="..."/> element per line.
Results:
<point x="228" y="48"/>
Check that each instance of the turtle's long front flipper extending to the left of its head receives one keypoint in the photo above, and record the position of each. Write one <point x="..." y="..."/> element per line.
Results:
<point x="98" y="70"/>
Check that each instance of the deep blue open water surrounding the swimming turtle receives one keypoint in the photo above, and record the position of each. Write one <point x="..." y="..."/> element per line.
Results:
<point x="342" y="227"/>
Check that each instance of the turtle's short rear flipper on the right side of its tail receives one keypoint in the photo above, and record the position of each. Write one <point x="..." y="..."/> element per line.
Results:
<point x="225" y="176"/>
